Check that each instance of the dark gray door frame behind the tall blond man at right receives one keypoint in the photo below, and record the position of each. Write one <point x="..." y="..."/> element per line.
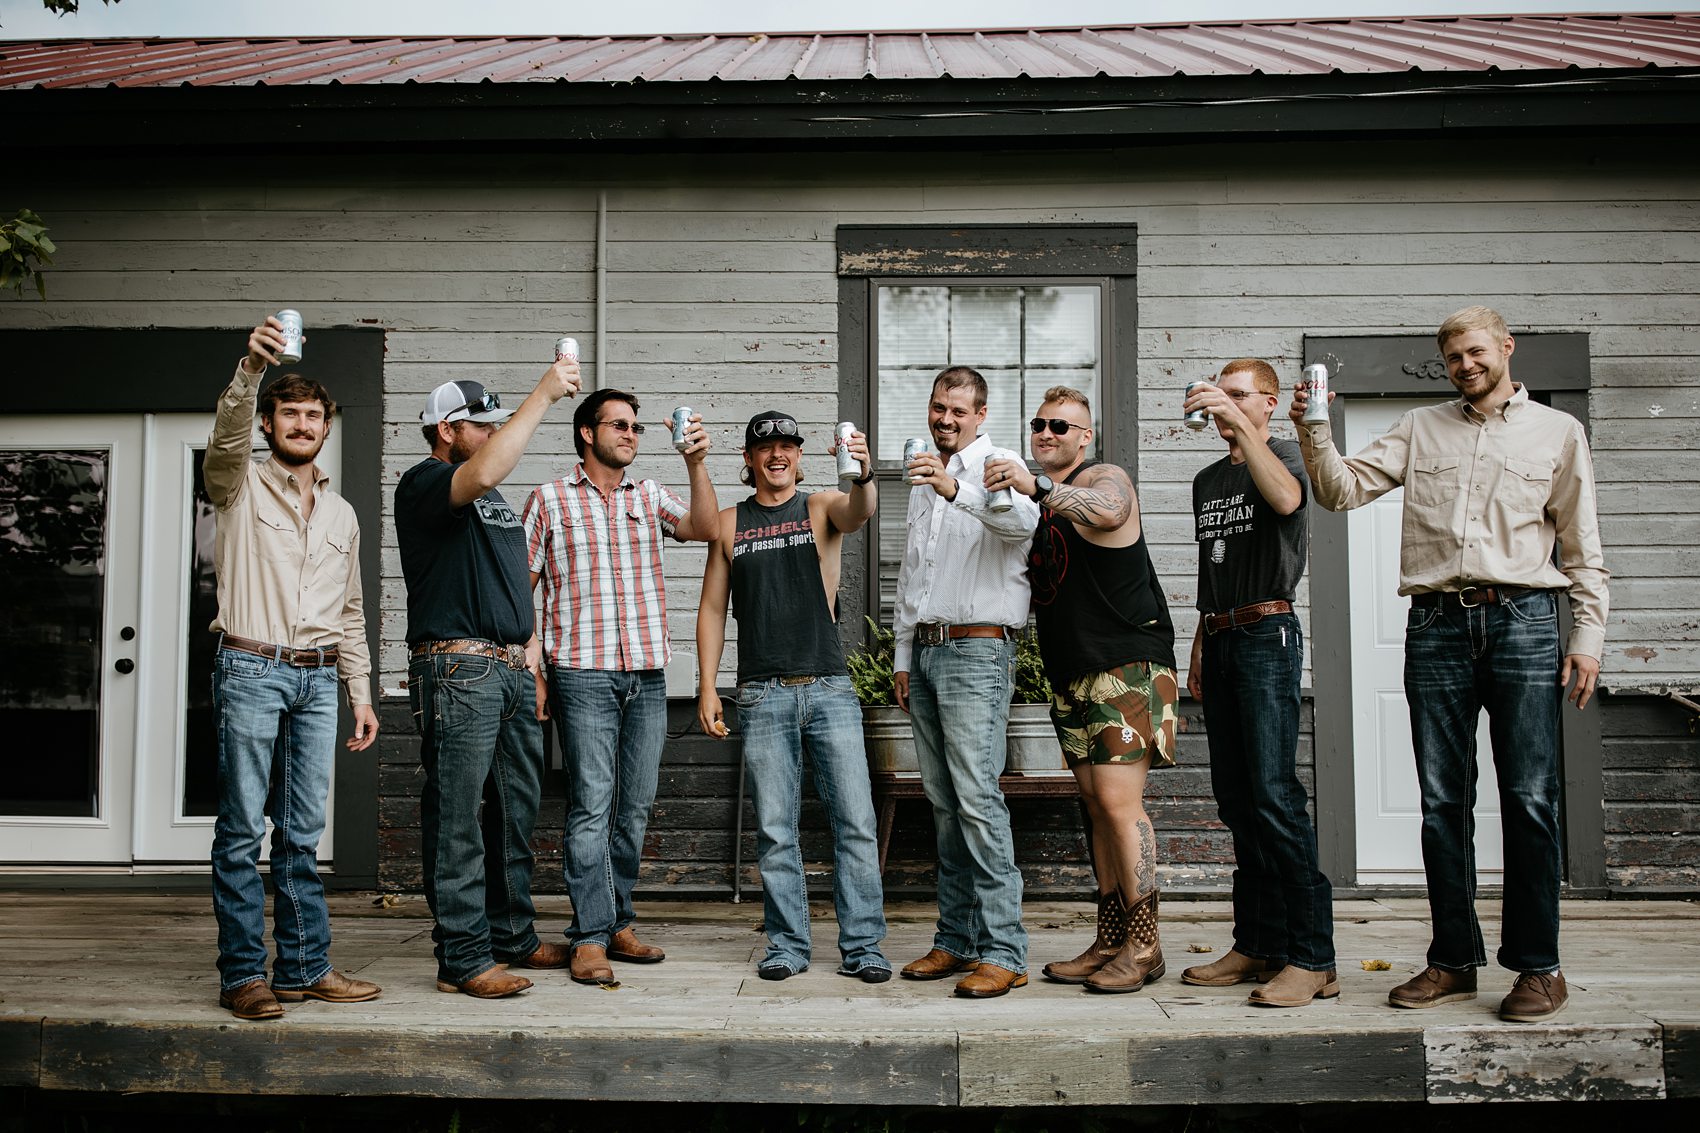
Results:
<point x="1402" y="367"/>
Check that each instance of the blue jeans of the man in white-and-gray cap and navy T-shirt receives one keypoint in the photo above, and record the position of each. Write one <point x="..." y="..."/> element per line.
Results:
<point x="482" y="744"/>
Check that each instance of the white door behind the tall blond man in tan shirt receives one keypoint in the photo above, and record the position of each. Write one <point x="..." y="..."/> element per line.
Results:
<point x="1388" y="800"/>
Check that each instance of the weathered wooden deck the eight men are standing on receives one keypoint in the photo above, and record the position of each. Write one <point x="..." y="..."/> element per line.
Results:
<point x="118" y="993"/>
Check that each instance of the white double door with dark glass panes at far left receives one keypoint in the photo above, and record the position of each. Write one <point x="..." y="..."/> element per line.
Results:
<point x="122" y="600"/>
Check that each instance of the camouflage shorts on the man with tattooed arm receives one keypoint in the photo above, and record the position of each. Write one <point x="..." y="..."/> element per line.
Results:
<point x="1119" y="715"/>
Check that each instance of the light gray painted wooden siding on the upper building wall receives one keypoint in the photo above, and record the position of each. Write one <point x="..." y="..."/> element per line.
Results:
<point x="722" y="293"/>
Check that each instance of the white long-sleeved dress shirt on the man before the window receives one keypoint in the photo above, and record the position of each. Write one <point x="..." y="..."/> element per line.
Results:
<point x="963" y="564"/>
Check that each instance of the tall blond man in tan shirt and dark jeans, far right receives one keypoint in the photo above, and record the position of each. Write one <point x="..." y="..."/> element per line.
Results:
<point x="1492" y="484"/>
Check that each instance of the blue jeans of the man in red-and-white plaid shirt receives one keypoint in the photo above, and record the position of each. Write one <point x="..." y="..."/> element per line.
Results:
<point x="613" y="727"/>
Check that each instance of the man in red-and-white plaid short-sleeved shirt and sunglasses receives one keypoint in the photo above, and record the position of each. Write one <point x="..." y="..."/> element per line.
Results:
<point x="596" y="544"/>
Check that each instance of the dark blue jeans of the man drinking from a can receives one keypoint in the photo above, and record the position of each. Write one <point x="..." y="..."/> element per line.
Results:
<point x="1283" y="904"/>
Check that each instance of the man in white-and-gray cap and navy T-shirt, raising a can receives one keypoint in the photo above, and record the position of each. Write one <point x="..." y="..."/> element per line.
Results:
<point x="473" y="649"/>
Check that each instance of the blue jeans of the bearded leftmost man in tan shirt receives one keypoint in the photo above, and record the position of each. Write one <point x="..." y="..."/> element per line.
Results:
<point x="276" y="746"/>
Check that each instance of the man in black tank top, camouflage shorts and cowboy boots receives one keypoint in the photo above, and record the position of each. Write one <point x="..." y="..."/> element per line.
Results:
<point x="1109" y="651"/>
